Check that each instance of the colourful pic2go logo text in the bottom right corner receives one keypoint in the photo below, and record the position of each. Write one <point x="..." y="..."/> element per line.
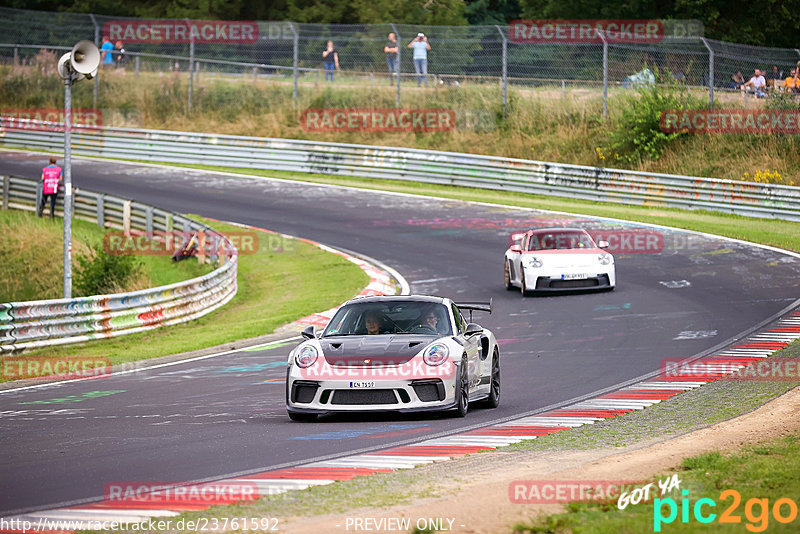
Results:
<point x="756" y="511"/>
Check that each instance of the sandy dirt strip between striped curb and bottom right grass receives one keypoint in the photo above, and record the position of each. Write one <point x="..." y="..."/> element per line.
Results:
<point x="479" y="502"/>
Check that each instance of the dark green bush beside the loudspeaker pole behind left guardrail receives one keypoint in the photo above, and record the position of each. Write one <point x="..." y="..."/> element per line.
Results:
<point x="100" y="272"/>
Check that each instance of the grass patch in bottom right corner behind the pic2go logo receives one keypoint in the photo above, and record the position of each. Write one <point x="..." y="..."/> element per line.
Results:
<point x="746" y="485"/>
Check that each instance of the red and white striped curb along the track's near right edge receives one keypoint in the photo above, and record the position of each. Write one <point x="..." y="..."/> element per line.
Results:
<point x="607" y="406"/>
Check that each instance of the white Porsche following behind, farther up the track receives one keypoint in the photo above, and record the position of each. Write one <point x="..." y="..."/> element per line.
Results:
<point x="558" y="259"/>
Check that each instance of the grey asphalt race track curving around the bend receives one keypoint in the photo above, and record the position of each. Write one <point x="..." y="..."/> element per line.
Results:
<point x="209" y="418"/>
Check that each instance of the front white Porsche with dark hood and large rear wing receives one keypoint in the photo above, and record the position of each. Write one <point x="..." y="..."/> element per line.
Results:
<point x="394" y="353"/>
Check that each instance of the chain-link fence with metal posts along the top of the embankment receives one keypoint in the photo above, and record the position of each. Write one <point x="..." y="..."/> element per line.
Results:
<point x="292" y="53"/>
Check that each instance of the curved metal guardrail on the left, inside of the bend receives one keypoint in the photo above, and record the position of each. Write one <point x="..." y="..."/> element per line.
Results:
<point x="41" y="323"/>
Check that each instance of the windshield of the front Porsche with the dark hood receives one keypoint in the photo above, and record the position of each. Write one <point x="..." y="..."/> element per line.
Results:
<point x="390" y="317"/>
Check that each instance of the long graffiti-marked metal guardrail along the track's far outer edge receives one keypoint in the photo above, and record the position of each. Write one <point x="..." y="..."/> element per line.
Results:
<point x="488" y="172"/>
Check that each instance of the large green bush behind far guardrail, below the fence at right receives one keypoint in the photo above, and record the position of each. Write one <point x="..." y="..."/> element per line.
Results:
<point x="637" y="133"/>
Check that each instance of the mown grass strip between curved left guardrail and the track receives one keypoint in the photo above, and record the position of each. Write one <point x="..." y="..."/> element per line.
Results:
<point x="278" y="284"/>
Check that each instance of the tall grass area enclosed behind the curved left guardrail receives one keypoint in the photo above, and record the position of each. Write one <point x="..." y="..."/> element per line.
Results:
<point x="32" y="252"/>
